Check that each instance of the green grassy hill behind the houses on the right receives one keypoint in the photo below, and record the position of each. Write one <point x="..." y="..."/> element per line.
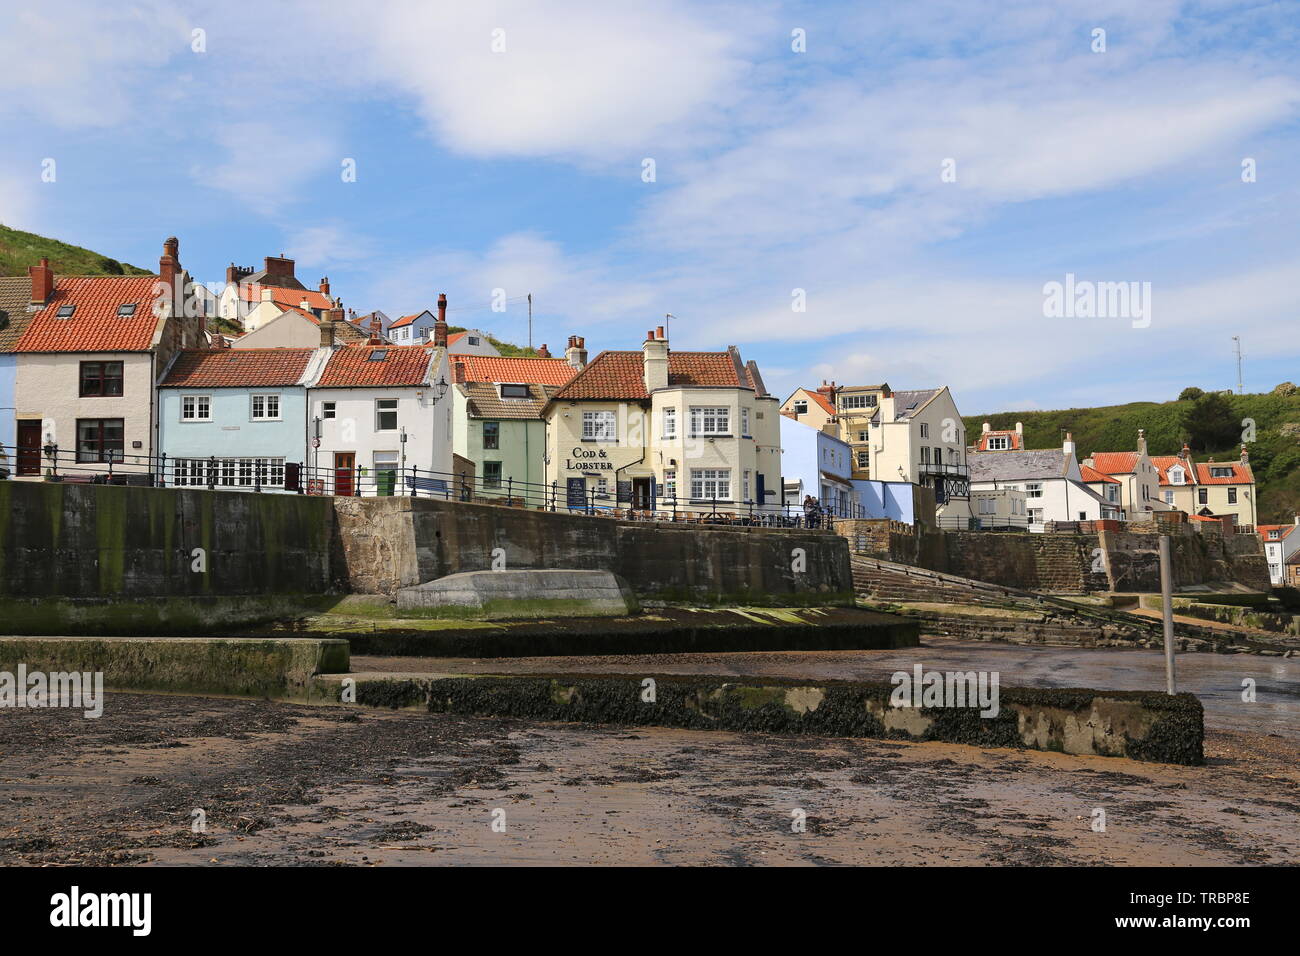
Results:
<point x="1275" y="453"/>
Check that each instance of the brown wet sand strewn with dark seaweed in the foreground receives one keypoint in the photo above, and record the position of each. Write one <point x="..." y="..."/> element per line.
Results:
<point x="296" y="785"/>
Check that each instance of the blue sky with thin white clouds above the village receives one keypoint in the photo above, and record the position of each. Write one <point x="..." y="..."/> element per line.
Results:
<point x="863" y="193"/>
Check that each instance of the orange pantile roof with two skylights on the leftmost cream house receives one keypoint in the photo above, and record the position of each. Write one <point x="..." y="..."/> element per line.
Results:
<point x="96" y="326"/>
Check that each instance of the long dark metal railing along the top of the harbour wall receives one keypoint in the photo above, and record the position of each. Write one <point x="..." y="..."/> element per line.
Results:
<point x="270" y="474"/>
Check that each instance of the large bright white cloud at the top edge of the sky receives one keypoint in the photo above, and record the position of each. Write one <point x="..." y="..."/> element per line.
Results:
<point x="582" y="79"/>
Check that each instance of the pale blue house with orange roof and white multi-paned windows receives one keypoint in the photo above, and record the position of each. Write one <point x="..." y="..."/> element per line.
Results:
<point x="236" y="418"/>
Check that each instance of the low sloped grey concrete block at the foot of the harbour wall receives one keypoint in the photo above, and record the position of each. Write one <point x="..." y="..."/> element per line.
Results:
<point x="523" y="594"/>
